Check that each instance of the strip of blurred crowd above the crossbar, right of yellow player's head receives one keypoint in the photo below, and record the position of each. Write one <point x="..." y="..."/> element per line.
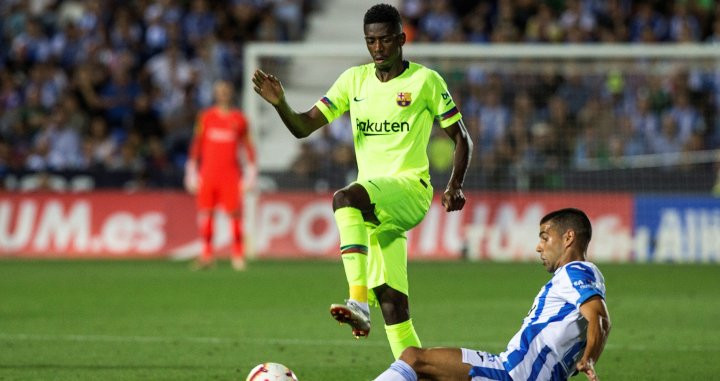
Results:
<point x="561" y="21"/>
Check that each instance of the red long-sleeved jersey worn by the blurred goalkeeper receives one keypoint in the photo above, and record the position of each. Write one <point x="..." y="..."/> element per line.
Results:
<point x="218" y="135"/>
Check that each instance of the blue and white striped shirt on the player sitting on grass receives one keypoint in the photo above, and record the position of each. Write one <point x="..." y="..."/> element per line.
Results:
<point x="553" y="335"/>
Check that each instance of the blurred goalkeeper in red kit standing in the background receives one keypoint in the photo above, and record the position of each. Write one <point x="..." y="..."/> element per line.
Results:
<point x="213" y="172"/>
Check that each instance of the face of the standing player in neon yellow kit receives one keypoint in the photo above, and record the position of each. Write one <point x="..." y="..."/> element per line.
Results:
<point x="384" y="42"/>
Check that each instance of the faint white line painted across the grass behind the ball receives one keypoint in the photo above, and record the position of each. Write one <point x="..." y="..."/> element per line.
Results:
<point x="299" y="342"/>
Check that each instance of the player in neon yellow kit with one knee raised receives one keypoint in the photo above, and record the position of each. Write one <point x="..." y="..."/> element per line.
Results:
<point x="392" y="104"/>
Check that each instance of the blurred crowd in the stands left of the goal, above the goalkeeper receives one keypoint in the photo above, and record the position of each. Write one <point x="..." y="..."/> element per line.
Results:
<point x="114" y="86"/>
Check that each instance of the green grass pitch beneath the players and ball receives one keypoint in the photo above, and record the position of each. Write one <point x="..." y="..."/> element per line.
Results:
<point x="156" y="320"/>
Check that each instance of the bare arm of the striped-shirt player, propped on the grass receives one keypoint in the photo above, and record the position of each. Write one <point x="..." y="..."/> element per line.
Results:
<point x="595" y="312"/>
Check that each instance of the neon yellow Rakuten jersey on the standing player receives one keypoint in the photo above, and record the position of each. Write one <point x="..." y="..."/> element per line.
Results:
<point x="391" y="120"/>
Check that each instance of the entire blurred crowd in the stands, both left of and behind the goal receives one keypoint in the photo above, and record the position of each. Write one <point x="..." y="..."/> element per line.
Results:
<point x="107" y="86"/>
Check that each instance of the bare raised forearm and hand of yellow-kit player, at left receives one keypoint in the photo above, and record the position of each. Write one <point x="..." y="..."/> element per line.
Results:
<point x="299" y="124"/>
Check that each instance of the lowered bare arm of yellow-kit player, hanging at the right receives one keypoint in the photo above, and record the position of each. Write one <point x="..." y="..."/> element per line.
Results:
<point x="453" y="198"/>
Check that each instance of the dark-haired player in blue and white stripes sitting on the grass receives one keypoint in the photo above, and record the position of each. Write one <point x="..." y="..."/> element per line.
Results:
<point x="564" y="332"/>
